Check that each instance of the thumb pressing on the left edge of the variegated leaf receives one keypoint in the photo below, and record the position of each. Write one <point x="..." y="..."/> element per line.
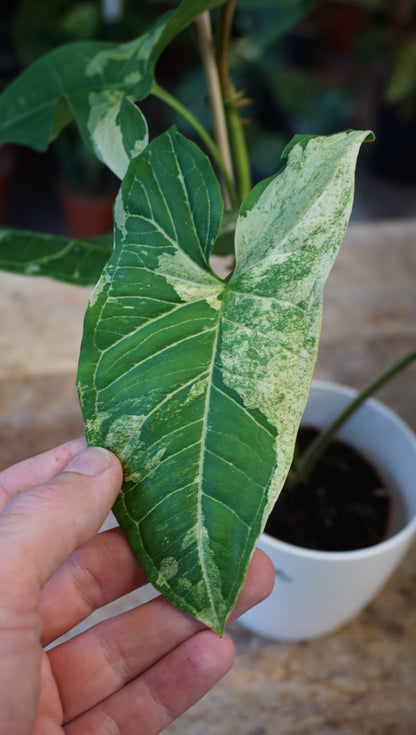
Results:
<point x="39" y="529"/>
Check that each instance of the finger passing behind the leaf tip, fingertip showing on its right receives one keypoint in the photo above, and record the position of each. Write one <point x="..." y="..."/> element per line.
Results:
<point x="102" y="660"/>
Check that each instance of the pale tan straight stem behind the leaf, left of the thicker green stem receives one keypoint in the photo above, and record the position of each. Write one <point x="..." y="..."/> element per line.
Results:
<point x="206" y="48"/>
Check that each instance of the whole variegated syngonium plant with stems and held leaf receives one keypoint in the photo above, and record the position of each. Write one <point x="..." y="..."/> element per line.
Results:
<point x="198" y="384"/>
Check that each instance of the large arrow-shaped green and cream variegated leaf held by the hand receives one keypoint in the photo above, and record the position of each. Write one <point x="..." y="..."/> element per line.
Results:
<point x="198" y="384"/>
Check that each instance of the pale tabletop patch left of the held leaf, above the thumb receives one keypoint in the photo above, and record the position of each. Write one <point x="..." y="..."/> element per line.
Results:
<point x="39" y="345"/>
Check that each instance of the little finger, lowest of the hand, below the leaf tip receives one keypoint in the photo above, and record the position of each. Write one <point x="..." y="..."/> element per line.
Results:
<point x="149" y="704"/>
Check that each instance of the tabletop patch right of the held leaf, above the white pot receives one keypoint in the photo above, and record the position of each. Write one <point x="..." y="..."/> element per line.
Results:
<point x="369" y="316"/>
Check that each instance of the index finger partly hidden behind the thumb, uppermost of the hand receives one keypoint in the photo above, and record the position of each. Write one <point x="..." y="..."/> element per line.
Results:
<point x="38" y="469"/>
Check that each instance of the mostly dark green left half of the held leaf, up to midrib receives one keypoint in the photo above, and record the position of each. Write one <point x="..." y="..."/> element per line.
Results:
<point x="179" y="298"/>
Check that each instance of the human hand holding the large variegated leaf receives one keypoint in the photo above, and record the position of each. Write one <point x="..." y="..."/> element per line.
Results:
<point x="131" y="674"/>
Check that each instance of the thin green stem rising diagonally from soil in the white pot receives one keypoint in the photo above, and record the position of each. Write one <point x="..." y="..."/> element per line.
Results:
<point x="306" y="463"/>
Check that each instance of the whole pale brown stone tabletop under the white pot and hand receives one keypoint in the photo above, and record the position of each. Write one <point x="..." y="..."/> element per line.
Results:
<point x="360" y="680"/>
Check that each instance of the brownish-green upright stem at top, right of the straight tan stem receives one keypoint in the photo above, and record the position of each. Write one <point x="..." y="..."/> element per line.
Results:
<point x="231" y="99"/>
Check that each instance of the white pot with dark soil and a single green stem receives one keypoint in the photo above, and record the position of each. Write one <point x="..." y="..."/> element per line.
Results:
<point x="346" y="517"/>
